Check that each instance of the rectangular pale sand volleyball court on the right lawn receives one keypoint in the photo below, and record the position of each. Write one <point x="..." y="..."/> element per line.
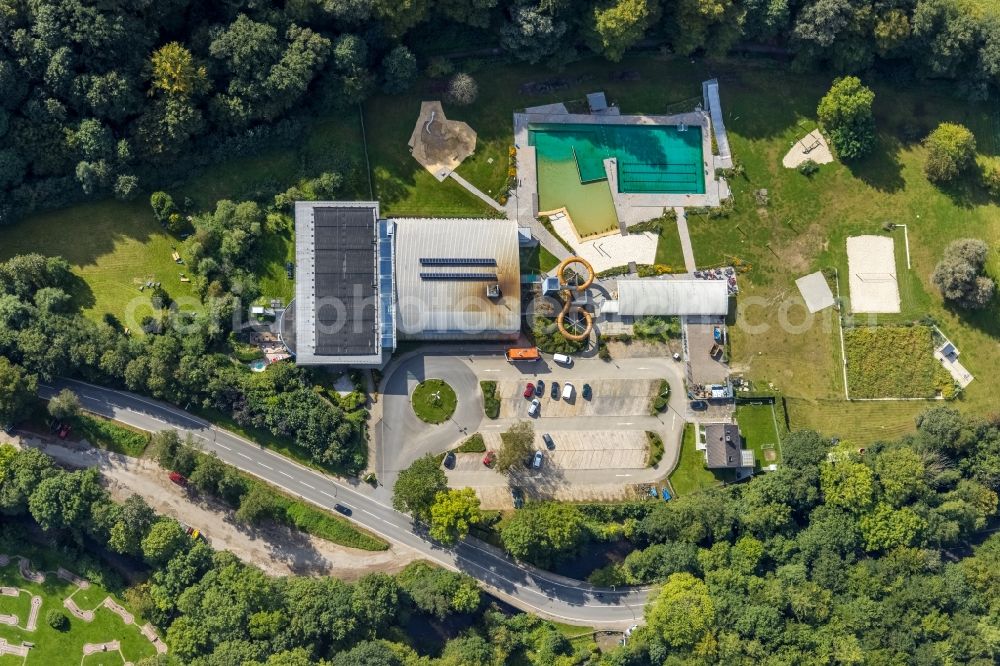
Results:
<point x="871" y="261"/>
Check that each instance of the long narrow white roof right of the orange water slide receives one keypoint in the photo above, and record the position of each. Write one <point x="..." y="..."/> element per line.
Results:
<point x="637" y="298"/>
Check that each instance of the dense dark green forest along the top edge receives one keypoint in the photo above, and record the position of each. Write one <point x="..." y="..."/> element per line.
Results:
<point x="118" y="96"/>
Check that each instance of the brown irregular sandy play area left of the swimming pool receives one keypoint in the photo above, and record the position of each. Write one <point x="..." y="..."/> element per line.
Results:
<point x="440" y="144"/>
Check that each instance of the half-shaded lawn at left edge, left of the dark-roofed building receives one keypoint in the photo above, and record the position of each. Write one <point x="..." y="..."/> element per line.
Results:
<point x="112" y="246"/>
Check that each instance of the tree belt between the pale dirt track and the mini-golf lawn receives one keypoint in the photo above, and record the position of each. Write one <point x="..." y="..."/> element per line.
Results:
<point x="214" y="609"/>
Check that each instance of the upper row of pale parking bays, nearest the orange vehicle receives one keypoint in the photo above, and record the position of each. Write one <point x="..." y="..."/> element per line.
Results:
<point x="610" y="397"/>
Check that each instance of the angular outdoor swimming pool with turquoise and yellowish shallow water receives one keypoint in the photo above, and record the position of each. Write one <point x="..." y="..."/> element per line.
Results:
<point x="651" y="160"/>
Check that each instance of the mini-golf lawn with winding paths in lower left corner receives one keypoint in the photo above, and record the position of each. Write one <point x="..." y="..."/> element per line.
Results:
<point x="64" y="647"/>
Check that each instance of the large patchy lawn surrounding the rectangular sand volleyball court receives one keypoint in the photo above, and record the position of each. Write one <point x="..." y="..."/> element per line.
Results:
<point x="804" y="228"/>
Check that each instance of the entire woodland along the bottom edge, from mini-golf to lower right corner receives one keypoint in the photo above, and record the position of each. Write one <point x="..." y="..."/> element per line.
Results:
<point x="880" y="556"/>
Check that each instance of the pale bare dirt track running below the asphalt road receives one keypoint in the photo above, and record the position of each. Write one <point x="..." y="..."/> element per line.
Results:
<point x="277" y="550"/>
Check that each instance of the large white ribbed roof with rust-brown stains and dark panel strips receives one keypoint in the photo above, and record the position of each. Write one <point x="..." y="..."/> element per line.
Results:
<point x="457" y="279"/>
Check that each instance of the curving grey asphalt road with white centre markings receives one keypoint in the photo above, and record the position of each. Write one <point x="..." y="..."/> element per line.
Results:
<point x="522" y="585"/>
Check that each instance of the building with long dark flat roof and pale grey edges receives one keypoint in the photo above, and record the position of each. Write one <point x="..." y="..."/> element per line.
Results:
<point x="343" y="308"/>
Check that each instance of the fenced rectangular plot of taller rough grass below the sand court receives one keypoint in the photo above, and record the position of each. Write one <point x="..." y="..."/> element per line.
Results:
<point x="893" y="362"/>
